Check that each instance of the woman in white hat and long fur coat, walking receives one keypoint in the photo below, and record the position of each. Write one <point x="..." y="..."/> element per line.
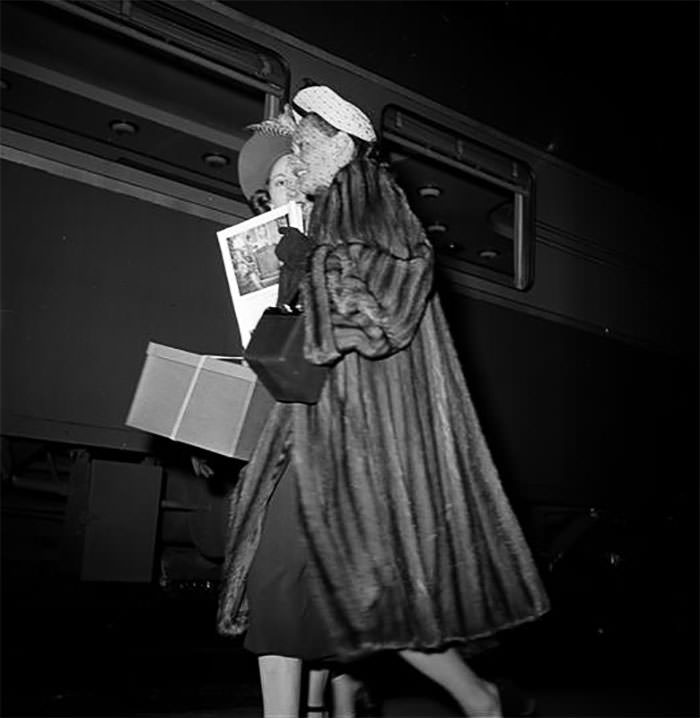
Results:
<point x="388" y="502"/>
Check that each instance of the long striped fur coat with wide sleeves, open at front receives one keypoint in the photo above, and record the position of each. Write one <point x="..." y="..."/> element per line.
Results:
<point x="411" y="540"/>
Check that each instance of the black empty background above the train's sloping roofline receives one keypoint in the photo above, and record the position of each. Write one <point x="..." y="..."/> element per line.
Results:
<point x="611" y="87"/>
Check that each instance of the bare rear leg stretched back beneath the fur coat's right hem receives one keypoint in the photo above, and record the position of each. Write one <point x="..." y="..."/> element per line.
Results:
<point x="476" y="696"/>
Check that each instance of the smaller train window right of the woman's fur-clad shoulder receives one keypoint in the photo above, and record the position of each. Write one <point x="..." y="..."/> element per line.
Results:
<point x="477" y="204"/>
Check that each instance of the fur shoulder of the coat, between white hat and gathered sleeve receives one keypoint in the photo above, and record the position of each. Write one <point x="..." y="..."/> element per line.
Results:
<point x="365" y="205"/>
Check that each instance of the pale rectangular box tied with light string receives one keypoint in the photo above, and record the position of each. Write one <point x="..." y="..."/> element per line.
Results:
<point x="211" y="402"/>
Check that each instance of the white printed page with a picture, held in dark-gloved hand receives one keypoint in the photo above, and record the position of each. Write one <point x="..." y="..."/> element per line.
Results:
<point x="252" y="268"/>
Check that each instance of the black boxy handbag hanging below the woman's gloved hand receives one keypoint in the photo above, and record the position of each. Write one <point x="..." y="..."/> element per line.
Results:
<point x="275" y="353"/>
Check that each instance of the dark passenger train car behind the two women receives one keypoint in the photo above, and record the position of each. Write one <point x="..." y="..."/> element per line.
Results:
<point x="121" y="126"/>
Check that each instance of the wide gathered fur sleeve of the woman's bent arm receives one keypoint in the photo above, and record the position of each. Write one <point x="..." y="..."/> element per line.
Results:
<point x="363" y="299"/>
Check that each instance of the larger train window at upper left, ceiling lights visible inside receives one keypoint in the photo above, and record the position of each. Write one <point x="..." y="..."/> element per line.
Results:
<point x="168" y="95"/>
